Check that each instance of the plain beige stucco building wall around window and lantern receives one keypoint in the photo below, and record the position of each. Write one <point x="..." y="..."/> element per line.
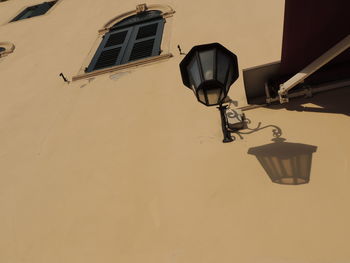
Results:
<point x="130" y="168"/>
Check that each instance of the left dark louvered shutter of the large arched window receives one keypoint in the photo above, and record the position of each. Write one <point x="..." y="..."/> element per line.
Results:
<point x="111" y="49"/>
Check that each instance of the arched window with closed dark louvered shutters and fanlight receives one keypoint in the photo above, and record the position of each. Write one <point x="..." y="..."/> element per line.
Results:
<point x="135" y="37"/>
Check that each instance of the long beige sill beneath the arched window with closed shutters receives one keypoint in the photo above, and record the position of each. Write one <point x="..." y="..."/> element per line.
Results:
<point x="123" y="66"/>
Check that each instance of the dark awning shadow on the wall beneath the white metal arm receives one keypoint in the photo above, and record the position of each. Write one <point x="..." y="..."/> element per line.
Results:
<point x="335" y="101"/>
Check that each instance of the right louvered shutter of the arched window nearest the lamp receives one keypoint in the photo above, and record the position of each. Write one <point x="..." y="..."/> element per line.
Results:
<point x="145" y="41"/>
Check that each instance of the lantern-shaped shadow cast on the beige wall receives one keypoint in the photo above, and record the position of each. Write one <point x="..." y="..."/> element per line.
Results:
<point x="285" y="162"/>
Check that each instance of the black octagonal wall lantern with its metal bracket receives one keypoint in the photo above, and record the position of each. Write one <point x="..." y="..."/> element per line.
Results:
<point x="209" y="70"/>
